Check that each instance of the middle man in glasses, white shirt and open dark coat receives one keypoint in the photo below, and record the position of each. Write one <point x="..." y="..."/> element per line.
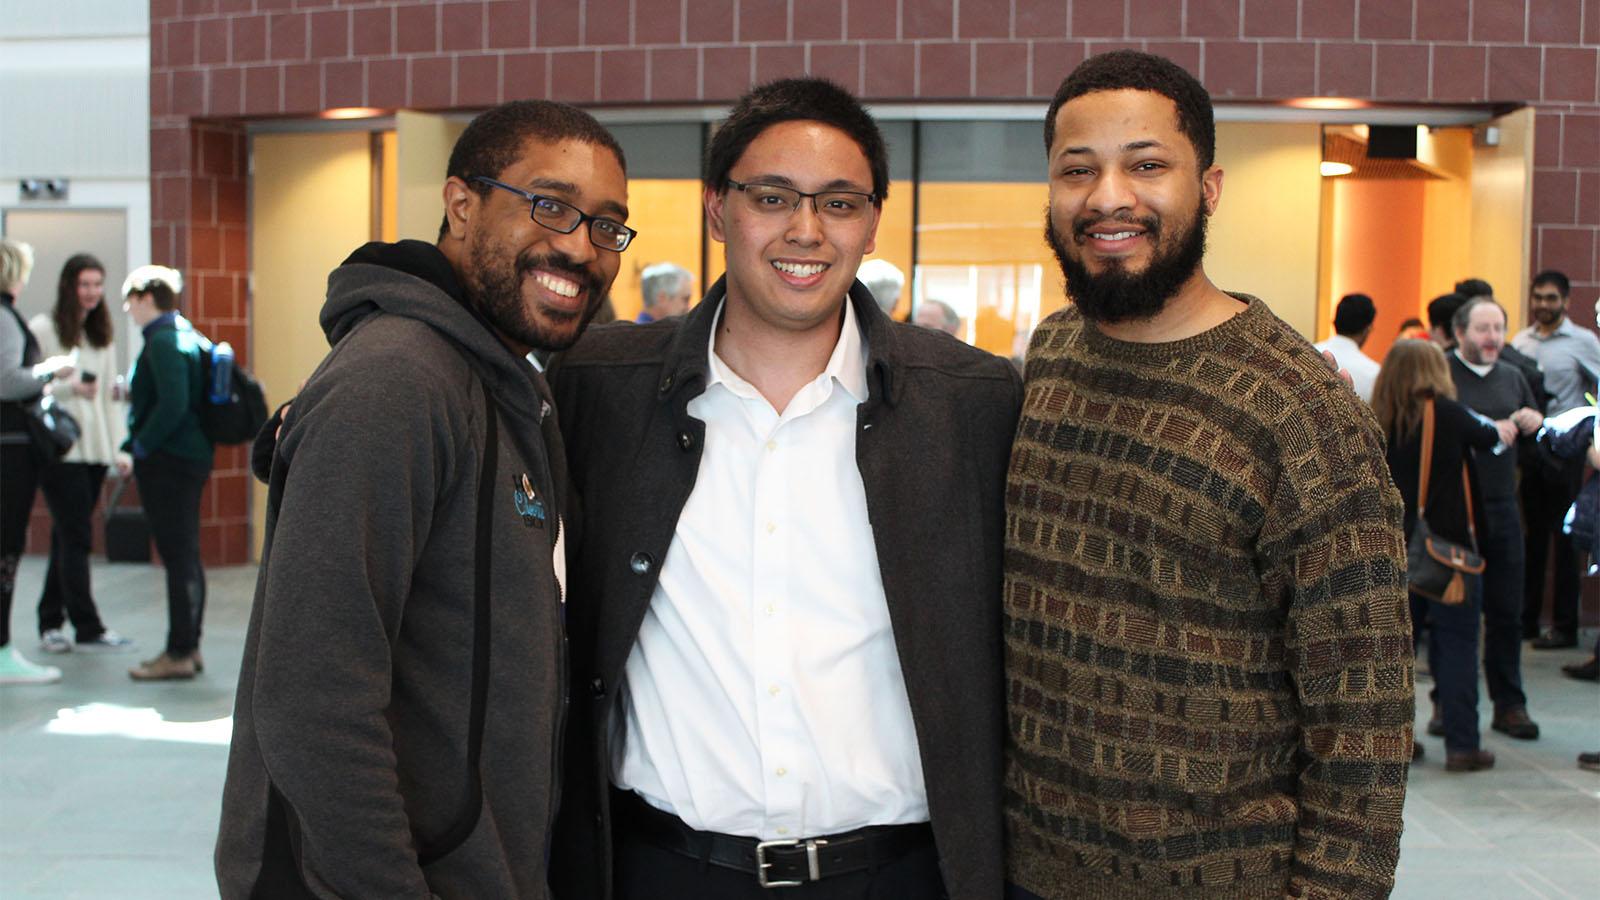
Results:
<point x="788" y="585"/>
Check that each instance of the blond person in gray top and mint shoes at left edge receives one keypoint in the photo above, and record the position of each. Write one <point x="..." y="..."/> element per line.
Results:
<point x="25" y="376"/>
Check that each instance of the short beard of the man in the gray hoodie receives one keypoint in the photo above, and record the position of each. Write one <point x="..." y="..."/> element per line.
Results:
<point x="498" y="295"/>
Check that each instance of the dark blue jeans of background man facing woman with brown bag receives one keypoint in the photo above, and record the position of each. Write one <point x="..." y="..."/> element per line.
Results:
<point x="1500" y="536"/>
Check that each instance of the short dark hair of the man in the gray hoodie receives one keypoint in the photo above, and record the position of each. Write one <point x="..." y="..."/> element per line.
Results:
<point x="495" y="140"/>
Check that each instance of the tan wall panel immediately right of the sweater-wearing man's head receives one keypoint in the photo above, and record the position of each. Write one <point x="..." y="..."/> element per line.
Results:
<point x="1265" y="238"/>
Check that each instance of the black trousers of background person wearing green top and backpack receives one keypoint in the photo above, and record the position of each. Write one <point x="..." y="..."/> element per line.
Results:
<point x="170" y="489"/>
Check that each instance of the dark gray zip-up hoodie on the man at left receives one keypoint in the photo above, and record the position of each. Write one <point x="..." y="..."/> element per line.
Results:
<point x="350" y="761"/>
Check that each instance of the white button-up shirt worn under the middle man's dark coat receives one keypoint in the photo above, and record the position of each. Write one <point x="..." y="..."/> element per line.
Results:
<point x="764" y="696"/>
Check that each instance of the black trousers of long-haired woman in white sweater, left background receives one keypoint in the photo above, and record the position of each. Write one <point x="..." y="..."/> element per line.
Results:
<point x="71" y="491"/>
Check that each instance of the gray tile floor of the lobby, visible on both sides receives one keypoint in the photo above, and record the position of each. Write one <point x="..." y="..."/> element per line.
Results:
<point x="110" y="789"/>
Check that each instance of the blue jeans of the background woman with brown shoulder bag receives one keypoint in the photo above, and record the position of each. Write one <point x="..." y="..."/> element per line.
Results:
<point x="1454" y="659"/>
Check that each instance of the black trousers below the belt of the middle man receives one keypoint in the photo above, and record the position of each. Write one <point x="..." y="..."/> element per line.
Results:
<point x="646" y="872"/>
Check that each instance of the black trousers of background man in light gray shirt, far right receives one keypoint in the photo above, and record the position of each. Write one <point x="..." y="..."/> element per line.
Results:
<point x="1546" y="497"/>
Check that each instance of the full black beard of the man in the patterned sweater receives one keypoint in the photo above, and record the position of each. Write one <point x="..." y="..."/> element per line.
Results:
<point x="1119" y="295"/>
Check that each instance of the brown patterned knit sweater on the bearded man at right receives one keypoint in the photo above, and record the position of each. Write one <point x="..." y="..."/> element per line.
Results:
<point x="1209" y="654"/>
